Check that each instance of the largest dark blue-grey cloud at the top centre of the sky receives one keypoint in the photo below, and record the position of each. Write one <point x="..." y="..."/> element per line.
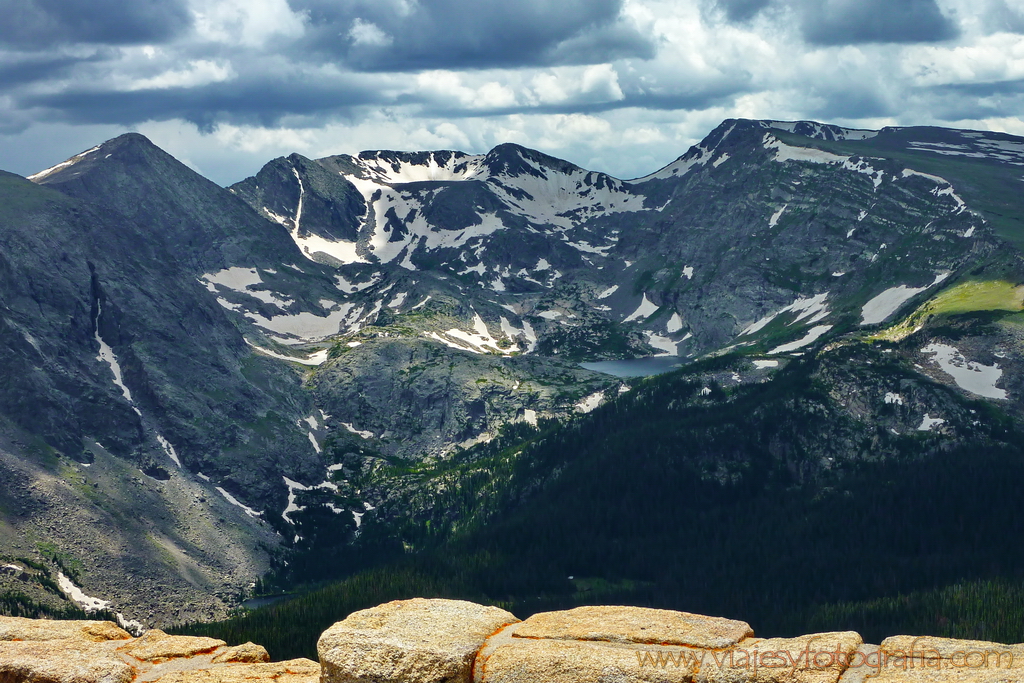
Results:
<point x="472" y="34"/>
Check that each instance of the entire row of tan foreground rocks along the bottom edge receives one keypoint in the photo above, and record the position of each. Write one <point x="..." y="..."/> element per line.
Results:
<point x="454" y="642"/>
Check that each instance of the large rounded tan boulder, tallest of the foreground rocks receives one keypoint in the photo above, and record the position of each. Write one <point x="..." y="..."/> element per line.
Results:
<point x="411" y="642"/>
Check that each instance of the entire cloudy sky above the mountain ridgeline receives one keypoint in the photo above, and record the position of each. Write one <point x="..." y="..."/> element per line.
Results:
<point x="622" y="87"/>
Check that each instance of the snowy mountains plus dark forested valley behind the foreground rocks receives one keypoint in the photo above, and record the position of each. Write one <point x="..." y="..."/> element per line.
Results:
<point x="374" y="361"/>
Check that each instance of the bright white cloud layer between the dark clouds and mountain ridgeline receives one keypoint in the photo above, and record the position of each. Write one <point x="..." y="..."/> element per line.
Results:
<point x="706" y="70"/>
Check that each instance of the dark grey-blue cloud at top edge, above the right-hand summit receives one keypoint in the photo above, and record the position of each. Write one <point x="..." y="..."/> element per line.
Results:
<point x="858" y="22"/>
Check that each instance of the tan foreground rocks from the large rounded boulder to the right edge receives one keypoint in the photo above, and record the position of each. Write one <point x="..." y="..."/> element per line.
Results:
<point x="447" y="642"/>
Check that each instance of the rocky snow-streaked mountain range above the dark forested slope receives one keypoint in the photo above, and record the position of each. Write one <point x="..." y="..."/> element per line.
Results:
<point x="215" y="374"/>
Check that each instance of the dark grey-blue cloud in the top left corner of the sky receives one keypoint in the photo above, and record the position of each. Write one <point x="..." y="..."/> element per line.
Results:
<point x="40" y="24"/>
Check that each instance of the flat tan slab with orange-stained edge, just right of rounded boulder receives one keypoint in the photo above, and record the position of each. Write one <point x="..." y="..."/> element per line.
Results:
<point x="635" y="625"/>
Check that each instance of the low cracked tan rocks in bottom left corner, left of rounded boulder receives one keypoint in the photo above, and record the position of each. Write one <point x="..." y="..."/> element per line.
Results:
<point x="46" y="652"/>
